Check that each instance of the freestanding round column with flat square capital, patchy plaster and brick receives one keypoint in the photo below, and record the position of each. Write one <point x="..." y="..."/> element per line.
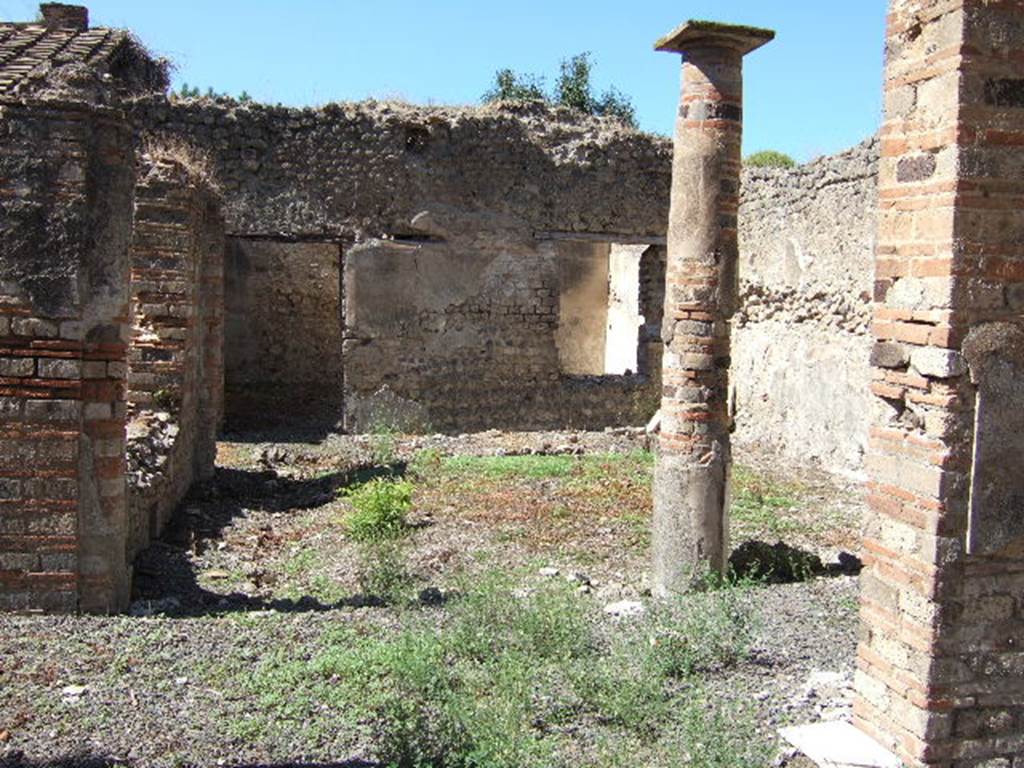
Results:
<point x="694" y="457"/>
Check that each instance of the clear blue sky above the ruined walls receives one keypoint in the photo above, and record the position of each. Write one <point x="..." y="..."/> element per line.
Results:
<point x="817" y="90"/>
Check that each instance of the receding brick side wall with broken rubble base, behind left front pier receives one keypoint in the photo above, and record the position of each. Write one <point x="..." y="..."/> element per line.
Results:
<point x="176" y="361"/>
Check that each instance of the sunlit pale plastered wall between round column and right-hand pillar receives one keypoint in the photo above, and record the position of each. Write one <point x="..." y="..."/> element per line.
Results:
<point x="801" y="344"/>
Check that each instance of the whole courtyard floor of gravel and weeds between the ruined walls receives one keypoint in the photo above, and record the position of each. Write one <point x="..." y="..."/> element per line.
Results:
<point x="454" y="603"/>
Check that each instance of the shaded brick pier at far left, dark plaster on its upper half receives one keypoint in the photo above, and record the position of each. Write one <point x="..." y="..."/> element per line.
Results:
<point x="66" y="186"/>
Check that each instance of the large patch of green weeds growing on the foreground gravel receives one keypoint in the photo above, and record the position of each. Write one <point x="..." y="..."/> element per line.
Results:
<point x="515" y="678"/>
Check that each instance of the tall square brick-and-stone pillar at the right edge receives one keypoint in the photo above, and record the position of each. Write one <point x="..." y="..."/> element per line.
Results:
<point x="941" y="675"/>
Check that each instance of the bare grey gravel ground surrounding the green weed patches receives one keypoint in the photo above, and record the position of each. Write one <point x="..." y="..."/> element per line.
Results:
<point x="258" y="562"/>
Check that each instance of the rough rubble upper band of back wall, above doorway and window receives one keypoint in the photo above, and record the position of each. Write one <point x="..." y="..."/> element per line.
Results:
<point x="353" y="172"/>
